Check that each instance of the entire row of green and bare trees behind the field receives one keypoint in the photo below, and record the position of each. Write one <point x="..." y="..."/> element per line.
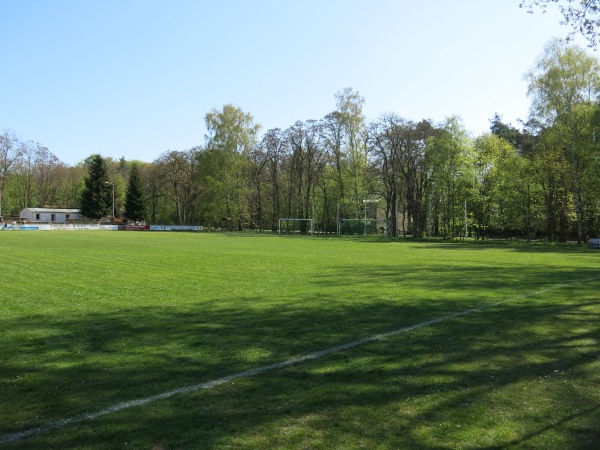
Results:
<point x="540" y="181"/>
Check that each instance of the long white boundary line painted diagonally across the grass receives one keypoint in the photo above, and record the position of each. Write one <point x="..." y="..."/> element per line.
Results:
<point x="260" y="370"/>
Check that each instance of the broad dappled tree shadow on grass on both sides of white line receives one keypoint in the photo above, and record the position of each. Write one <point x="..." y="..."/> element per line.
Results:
<point x="518" y="374"/>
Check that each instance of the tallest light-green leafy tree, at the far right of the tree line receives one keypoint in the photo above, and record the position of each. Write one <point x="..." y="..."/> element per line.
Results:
<point x="564" y="86"/>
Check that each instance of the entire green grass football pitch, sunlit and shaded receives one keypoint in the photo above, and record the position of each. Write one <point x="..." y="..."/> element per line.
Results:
<point x="90" y="320"/>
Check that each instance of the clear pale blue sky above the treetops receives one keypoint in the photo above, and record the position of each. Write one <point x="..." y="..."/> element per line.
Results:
<point x="135" y="78"/>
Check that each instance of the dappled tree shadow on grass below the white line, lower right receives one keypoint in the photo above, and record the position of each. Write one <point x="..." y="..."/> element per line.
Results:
<point x="480" y="382"/>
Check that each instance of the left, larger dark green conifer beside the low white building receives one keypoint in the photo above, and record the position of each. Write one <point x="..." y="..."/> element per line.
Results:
<point x="96" y="198"/>
